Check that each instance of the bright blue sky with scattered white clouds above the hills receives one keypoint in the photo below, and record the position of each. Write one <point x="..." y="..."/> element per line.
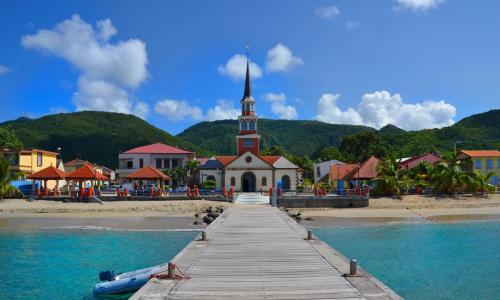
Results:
<point x="413" y="63"/>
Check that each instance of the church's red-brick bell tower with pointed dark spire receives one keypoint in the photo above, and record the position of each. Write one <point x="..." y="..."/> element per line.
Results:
<point x="248" y="139"/>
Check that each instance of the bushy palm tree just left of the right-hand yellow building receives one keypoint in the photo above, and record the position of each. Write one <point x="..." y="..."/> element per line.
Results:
<point x="448" y="175"/>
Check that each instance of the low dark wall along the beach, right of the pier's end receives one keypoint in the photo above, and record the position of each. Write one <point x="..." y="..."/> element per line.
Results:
<point x="320" y="202"/>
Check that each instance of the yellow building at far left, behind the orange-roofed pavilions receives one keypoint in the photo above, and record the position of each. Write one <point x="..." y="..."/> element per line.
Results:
<point x="25" y="162"/>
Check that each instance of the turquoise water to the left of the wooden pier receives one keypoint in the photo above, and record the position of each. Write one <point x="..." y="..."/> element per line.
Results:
<point x="65" y="264"/>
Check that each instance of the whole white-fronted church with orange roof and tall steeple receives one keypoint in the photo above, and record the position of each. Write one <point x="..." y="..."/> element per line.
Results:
<point x="248" y="171"/>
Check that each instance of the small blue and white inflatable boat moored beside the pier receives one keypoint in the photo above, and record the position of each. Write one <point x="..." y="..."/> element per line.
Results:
<point x="125" y="282"/>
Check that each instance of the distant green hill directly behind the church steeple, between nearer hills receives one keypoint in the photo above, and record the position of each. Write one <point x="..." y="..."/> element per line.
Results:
<point x="295" y="137"/>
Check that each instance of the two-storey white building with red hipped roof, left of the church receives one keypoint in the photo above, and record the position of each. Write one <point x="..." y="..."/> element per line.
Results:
<point x="158" y="155"/>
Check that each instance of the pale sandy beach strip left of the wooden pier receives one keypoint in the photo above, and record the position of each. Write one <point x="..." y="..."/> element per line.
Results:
<point x="139" y="215"/>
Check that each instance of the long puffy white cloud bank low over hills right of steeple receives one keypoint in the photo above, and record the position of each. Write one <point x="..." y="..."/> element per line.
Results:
<point x="381" y="108"/>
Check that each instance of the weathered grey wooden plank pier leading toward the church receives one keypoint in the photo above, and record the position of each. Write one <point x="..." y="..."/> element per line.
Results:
<point x="258" y="252"/>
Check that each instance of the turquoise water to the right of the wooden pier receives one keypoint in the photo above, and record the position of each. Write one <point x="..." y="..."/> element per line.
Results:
<point x="435" y="261"/>
